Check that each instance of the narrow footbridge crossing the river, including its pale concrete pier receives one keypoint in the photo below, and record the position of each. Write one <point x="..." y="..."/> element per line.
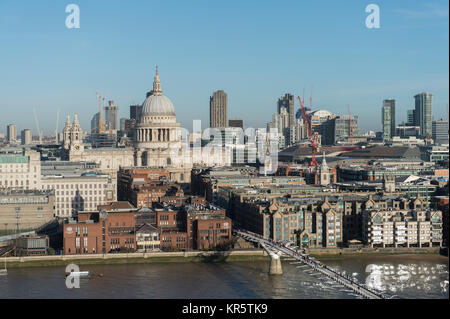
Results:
<point x="275" y="250"/>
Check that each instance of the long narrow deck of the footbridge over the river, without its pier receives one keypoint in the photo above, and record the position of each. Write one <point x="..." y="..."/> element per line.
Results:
<point x="316" y="265"/>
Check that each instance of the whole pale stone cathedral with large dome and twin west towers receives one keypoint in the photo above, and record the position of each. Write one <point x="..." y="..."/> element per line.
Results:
<point x="158" y="143"/>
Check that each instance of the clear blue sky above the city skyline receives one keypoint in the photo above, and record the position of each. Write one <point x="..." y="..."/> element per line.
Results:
<point x="254" y="50"/>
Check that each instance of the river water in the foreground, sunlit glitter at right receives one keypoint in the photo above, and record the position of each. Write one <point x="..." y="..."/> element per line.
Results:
<point x="401" y="276"/>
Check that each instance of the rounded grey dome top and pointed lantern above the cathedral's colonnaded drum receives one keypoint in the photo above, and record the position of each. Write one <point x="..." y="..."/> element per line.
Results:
<point x="156" y="103"/>
